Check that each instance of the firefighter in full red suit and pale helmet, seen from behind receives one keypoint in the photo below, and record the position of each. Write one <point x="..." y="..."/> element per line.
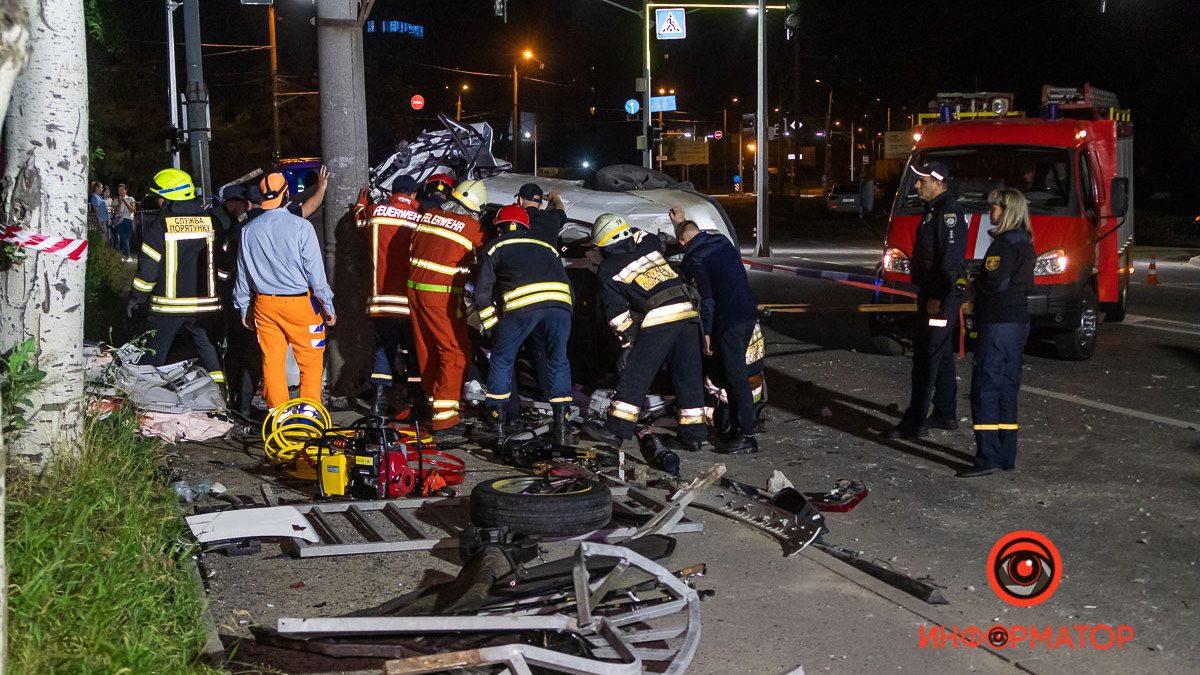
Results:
<point x="440" y="265"/>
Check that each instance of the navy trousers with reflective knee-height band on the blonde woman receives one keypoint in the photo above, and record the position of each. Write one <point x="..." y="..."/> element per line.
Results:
<point x="995" y="387"/>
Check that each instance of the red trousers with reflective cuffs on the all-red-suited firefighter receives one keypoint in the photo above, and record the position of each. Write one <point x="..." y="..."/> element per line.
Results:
<point x="440" y="333"/>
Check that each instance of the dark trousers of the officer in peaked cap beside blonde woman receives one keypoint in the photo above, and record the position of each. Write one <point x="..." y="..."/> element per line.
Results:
<point x="933" y="369"/>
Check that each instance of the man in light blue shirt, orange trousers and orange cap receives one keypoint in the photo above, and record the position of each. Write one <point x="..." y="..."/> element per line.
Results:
<point x="283" y="294"/>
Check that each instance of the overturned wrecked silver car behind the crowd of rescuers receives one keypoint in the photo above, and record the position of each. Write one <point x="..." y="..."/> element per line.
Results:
<point x="643" y="196"/>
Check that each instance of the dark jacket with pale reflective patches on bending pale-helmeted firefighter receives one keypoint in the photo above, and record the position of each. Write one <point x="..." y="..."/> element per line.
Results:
<point x="640" y="289"/>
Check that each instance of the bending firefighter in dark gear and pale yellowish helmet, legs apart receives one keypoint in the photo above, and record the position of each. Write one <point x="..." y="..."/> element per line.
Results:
<point x="653" y="310"/>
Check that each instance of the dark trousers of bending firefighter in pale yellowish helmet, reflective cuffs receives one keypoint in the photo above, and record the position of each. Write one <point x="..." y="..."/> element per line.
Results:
<point x="679" y="347"/>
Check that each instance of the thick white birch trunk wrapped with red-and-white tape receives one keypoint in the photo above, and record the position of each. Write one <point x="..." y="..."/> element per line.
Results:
<point x="45" y="190"/>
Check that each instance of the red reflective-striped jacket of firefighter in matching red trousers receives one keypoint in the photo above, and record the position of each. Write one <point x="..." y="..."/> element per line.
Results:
<point x="443" y="252"/>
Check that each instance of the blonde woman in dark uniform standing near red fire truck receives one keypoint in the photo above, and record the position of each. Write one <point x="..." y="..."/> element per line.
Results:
<point x="1001" y="312"/>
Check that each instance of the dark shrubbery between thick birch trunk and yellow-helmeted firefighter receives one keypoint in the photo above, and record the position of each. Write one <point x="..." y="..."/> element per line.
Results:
<point x="107" y="284"/>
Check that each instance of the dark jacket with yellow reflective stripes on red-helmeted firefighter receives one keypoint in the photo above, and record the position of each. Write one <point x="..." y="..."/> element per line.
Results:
<point x="519" y="273"/>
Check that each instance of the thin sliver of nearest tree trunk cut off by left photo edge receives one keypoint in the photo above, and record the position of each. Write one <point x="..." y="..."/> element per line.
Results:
<point x="14" y="55"/>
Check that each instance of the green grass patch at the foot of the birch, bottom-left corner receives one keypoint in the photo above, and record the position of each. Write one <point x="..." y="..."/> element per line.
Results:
<point x="98" y="577"/>
